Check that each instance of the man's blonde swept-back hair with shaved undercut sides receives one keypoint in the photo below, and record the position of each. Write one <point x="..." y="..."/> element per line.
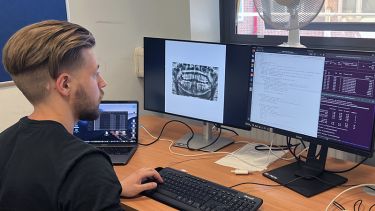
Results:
<point x="39" y="52"/>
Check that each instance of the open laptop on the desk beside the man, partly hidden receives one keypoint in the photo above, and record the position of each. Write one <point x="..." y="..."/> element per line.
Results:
<point x="115" y="131"/>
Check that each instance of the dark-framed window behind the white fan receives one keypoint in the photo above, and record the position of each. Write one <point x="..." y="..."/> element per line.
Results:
<point x="344" y="24"/>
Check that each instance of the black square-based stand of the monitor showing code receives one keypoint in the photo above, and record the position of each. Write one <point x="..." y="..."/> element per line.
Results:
<point x="307" y="178"/>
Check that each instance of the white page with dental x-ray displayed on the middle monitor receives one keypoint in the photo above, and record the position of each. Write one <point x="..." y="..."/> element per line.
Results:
<point x="195" y="81"/>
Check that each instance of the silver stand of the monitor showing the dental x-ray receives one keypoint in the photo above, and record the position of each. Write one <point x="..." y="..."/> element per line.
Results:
<point x="201" y="140"/>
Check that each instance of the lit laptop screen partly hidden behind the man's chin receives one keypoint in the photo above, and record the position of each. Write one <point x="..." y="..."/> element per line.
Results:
<point x="117" y="123"/>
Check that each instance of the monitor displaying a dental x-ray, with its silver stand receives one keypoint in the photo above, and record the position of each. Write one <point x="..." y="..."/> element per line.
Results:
<point x="198" y="80"/>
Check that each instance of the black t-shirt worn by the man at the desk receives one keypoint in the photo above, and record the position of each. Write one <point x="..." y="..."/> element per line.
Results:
<point x="44" y="167"/>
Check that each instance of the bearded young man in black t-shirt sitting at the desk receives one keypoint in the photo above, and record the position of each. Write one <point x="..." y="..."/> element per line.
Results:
<point x="42" y="165"/>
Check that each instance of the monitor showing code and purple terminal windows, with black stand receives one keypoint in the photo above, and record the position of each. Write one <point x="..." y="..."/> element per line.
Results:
<point x="325" y="97"/>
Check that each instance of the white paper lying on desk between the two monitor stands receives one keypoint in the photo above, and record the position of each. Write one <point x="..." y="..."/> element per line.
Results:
<point x="249" y="158"/>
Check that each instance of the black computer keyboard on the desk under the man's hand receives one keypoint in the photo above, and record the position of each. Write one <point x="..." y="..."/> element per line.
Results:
<point x="186" y="192"/>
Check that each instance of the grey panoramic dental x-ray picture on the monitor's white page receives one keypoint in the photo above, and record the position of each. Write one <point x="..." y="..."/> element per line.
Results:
<point x="195" y="80"/>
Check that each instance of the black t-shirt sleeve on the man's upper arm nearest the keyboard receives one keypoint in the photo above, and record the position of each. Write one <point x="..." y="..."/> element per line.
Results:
<point x="90" y="185"/>
